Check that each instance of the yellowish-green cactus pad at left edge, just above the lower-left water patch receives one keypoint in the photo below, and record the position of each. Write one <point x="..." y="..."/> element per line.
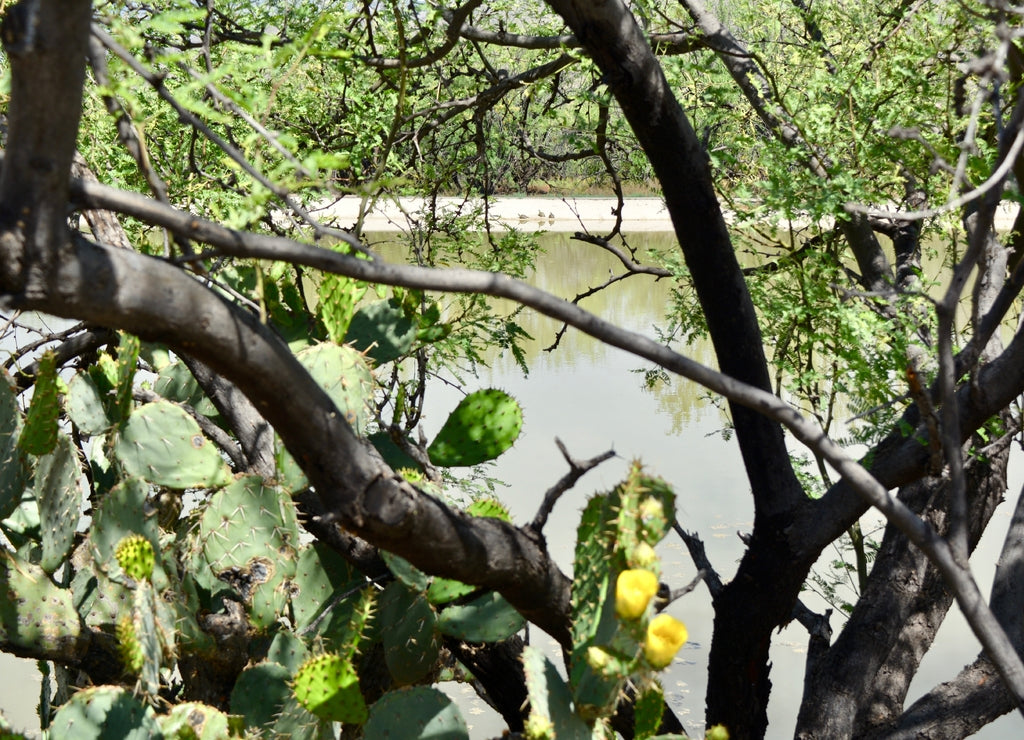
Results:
<point x="35" y="615"/>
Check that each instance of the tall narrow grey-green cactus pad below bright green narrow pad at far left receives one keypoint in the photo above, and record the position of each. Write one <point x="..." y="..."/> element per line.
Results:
<point x="60" y="502"/>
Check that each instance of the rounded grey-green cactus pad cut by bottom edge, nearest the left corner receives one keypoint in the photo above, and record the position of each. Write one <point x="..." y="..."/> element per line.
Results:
<point x="105" y="712"/>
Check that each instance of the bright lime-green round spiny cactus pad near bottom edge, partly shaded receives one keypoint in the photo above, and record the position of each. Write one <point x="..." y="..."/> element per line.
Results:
<point x="327" y="686"/>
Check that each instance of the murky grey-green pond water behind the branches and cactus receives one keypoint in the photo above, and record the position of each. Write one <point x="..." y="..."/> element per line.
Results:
<point x="590" y="397"/>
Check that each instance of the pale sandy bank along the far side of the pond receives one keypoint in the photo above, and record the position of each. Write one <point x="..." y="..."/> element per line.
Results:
<point x="543" y="213"/>
